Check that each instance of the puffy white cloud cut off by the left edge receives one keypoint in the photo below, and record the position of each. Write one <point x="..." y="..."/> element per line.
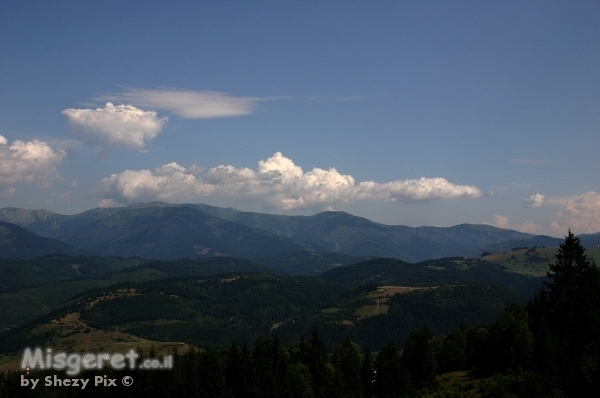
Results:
<point x="33" y="162"/>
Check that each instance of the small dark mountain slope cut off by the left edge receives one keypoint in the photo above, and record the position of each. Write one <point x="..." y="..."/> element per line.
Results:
<point x="18" y="243"/>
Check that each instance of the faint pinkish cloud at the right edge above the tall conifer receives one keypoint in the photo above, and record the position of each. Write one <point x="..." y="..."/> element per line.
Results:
<point x="580" y="213"/>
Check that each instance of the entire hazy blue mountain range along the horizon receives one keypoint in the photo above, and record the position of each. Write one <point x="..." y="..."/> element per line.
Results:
<point x="166" y="231"/>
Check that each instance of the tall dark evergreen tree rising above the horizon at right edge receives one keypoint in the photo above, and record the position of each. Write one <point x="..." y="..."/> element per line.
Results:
<point x="565" y="319"/>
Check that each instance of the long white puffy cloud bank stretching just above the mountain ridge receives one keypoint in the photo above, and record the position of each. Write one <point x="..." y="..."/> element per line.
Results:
<point x="277" y="182"/>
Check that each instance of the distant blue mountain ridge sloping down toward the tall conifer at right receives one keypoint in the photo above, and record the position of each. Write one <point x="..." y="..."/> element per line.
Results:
<point x="341" y="232"/>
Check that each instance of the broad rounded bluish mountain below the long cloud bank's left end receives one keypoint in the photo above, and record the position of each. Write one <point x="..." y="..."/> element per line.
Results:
<point x="175" y="232"/>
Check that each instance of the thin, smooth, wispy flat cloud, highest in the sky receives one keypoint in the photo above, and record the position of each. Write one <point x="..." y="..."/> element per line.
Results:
<point x="187" y="104"/>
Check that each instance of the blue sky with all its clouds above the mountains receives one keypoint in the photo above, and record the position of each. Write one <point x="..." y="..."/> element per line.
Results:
<point x="404" y="112"/>
